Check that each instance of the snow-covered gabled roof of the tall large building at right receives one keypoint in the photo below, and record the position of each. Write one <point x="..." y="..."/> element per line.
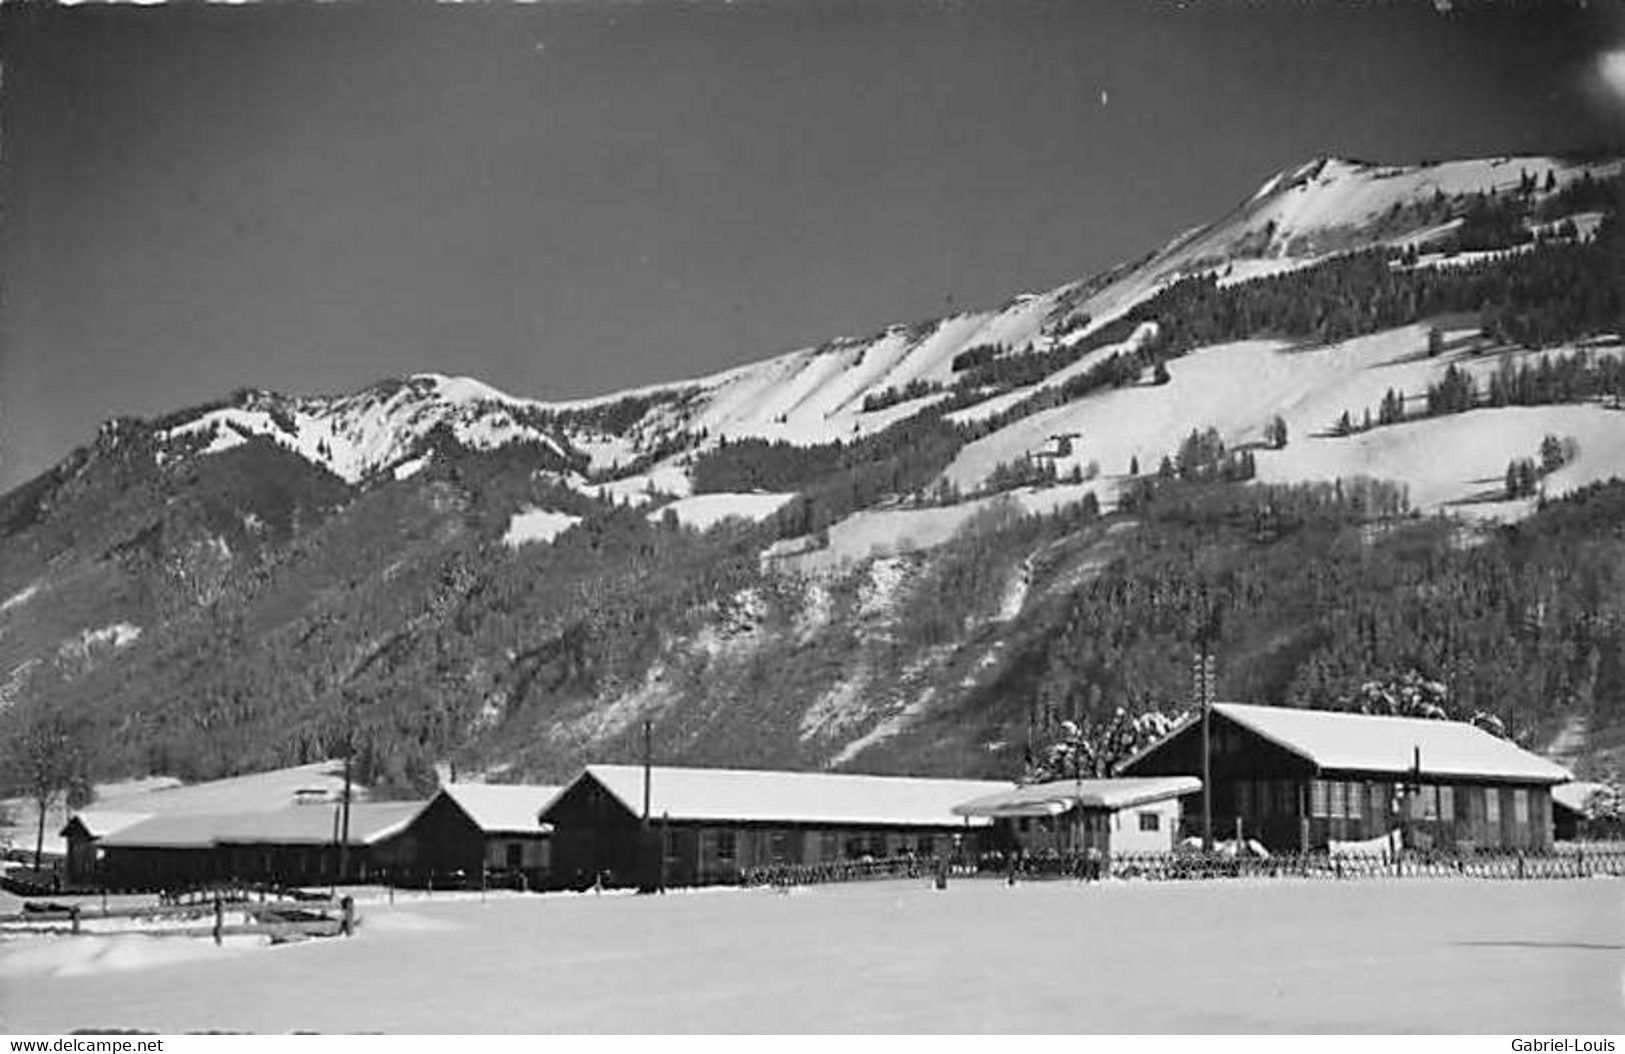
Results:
<point x="1380" y="745"/>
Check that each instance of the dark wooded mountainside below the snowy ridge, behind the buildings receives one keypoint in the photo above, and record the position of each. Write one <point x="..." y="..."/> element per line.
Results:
<point x="391" y="623"/>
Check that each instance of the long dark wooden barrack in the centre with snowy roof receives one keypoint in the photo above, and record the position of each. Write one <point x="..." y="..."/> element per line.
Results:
<point x="709" y="824"/>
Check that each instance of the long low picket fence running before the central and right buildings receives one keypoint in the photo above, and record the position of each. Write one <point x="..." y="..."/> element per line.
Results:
<point x="1566" y="863"/>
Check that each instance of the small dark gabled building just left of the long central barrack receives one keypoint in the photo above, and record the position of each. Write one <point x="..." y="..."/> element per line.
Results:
<point x="479" y="832"/>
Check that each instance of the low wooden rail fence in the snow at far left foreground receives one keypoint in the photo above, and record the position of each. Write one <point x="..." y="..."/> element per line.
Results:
<point x="279" y="920"/>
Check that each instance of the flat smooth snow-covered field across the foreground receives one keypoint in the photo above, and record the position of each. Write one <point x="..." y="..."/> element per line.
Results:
<point x="1379" y="957"/>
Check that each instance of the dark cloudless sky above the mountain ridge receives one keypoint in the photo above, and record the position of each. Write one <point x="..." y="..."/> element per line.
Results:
<point x="565" y="199"/>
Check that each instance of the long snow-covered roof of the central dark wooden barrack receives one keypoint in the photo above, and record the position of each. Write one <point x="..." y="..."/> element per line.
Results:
<point x="792" y="798"/>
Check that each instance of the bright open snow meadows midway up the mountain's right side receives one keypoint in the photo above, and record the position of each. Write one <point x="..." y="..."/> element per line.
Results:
<point x="1237" y="389"/>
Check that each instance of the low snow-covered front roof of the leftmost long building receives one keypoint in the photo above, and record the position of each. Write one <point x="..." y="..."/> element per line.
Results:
<point x="370" y="823"/>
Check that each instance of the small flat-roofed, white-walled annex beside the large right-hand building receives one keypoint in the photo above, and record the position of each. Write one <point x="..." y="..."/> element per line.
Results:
<point x="1070" y="816"/>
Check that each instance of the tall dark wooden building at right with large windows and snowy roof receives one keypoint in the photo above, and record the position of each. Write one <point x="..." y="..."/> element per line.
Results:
<point x="1306" y="779"/>
